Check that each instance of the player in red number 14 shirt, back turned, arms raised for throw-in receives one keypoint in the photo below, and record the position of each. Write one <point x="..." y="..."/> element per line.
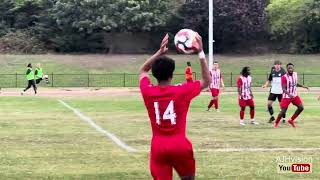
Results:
<point x="167" y="107"/>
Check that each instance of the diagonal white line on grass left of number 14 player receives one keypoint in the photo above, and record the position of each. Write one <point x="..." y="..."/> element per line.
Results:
<point x="98" y="128"/>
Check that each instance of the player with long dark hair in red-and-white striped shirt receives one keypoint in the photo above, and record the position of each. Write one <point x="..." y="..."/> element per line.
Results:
<point x="245" y="96"/>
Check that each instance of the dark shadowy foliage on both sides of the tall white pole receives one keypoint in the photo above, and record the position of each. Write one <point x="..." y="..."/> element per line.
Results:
<point x="235" y="22"/>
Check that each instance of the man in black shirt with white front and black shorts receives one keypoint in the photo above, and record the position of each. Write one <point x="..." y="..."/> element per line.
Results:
<point x="276" y="88"/>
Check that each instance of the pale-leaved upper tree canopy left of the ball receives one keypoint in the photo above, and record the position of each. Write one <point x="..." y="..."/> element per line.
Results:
<point x="95" y="15"/>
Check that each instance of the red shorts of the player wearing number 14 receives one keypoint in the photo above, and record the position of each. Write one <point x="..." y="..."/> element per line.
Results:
<point x="168" y="153"/>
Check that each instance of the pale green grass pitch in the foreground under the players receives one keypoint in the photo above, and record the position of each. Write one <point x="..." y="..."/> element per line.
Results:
<point x="42" y="139"/>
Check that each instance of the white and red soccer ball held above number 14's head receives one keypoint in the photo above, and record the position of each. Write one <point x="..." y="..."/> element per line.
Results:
<point x="185" y="41"/>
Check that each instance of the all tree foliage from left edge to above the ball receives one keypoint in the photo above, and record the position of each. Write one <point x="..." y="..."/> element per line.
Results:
<point x="78" y="25"/>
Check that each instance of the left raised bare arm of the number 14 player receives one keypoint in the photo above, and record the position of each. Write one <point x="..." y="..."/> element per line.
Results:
<point x="145" y="68"/>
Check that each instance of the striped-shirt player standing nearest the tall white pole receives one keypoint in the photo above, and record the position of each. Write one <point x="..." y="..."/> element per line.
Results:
<point x="214" y="87"/>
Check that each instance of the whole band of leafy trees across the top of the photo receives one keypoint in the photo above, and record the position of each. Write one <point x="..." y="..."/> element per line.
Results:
<point x="80" y="25"/>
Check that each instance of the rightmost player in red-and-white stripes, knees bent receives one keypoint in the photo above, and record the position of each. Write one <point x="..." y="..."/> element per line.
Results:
<point x="290" y="83"/>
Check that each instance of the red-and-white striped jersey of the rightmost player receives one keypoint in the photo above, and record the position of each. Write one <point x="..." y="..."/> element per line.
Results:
<point x="291" y="83"/>
